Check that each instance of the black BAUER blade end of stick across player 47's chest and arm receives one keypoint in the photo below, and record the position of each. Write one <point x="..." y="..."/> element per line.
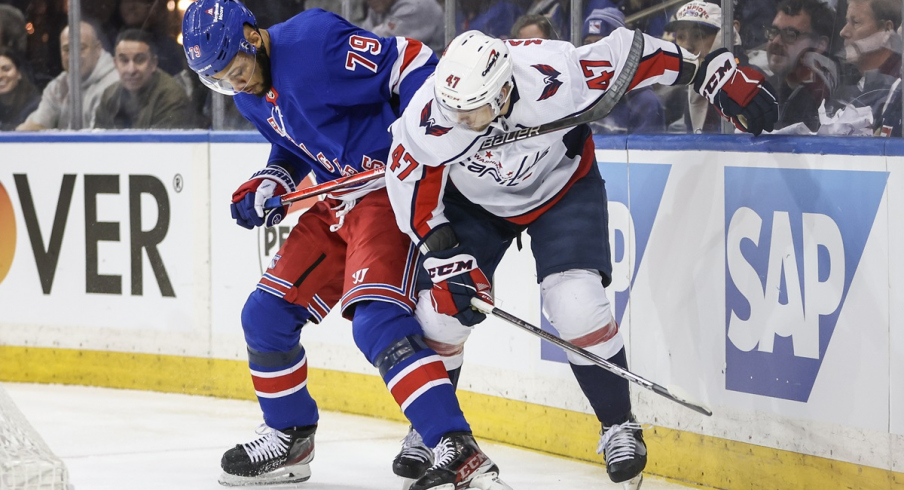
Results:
<point x="600" y="110"/>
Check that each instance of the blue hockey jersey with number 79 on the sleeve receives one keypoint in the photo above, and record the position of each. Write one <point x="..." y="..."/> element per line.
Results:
<point x="336" y="89"/>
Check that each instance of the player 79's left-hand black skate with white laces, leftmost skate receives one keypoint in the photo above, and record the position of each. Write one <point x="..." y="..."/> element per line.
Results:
<point x="279" y="456"/>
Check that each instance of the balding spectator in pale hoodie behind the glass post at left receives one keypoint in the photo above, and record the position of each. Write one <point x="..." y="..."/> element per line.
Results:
<point x="97" y="73"/>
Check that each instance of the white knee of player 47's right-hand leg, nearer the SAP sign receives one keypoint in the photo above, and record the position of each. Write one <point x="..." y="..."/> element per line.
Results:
<point x="575" y="303"/>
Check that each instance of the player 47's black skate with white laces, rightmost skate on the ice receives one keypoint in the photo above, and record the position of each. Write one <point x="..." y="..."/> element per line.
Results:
<point x="625" y="452"/>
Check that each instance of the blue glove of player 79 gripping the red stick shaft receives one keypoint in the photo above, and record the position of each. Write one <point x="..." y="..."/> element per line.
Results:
<point x="248" y="200"/>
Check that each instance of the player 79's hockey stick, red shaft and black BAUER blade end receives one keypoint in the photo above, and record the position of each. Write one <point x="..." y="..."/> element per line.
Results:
<point x="600" y="110"/>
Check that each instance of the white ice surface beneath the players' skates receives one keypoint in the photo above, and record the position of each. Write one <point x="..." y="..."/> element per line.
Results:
<point x="121" y="439"/>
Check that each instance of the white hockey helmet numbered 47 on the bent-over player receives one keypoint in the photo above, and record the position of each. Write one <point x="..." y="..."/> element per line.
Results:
<point x="472" y="73"/>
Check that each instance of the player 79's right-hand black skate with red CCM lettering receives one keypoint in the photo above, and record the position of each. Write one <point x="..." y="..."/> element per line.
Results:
<point x="460" y="465"/>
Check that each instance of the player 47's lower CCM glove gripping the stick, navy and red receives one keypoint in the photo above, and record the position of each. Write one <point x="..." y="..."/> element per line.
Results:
<point x="456" y="279"/>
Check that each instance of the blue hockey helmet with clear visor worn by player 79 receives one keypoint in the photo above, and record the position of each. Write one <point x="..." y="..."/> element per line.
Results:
<point x="213" y="34"/>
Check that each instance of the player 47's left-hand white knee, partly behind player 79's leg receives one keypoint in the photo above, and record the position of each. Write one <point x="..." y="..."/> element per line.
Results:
<point x="443" y="333"/>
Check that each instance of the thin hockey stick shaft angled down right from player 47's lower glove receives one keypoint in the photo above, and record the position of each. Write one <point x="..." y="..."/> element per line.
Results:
<point x="599" y="361"/>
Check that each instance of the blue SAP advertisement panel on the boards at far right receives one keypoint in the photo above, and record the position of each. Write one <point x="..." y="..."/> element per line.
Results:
<point x="793" y="241"/>
